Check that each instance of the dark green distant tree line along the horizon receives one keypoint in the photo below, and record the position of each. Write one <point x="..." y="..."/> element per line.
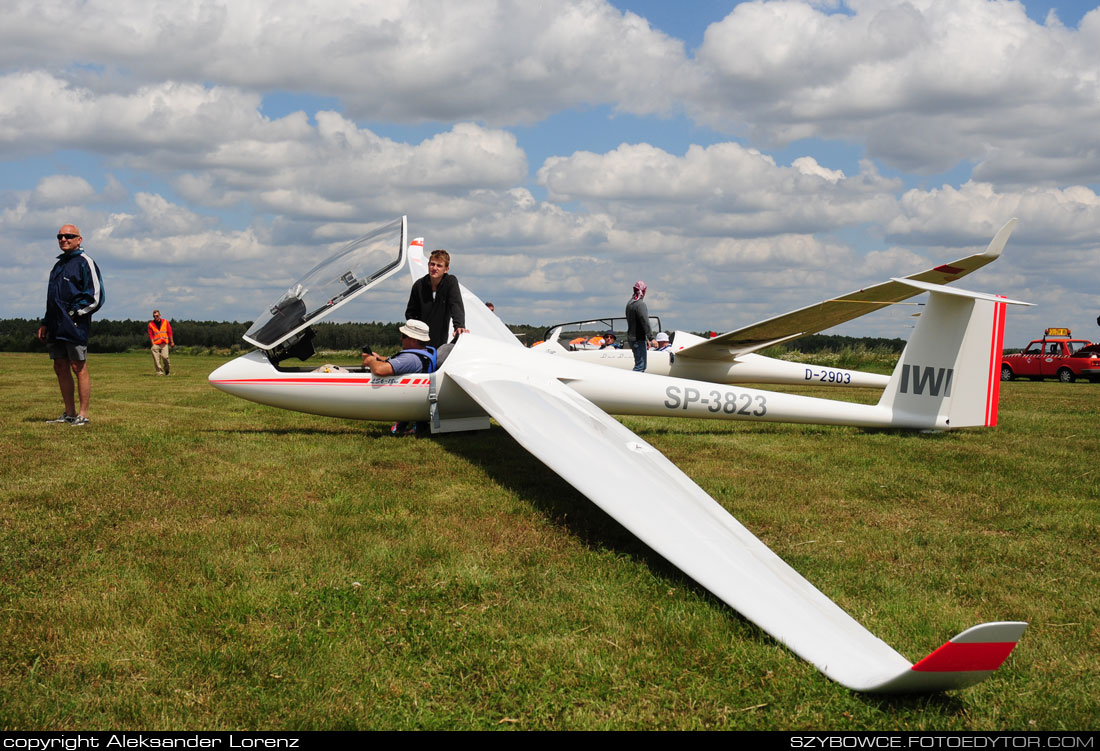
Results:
<point x="19" y="335"/>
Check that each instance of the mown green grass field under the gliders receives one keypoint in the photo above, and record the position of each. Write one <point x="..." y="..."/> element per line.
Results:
<point x="196" y="561"/>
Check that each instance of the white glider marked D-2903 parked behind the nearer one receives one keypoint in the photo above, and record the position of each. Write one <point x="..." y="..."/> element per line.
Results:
<point x="731" y="359"/>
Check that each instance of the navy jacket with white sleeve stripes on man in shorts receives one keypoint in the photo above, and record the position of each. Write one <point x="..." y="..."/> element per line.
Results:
<point x="75" y="293"/>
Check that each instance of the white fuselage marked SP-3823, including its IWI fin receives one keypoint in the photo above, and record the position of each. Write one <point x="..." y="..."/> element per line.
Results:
<point x="949" y="378"/>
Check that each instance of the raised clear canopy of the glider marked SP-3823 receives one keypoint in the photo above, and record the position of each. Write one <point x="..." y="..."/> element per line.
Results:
<point x="358" y="267"/>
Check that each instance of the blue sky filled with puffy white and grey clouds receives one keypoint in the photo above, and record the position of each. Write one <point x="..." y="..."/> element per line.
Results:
<point x="744" y="159"/>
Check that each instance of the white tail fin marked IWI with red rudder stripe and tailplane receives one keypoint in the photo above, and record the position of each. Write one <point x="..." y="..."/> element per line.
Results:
<point x="949" y="375"/>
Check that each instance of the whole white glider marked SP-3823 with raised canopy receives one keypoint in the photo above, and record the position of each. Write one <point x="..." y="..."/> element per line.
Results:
<point x="558" y="410"/>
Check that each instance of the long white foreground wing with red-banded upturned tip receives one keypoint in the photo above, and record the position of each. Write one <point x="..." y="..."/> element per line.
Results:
<point x="659" y="504"/>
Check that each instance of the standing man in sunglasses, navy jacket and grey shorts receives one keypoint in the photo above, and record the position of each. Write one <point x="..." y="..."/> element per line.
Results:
<point x="75" y="293"/>
